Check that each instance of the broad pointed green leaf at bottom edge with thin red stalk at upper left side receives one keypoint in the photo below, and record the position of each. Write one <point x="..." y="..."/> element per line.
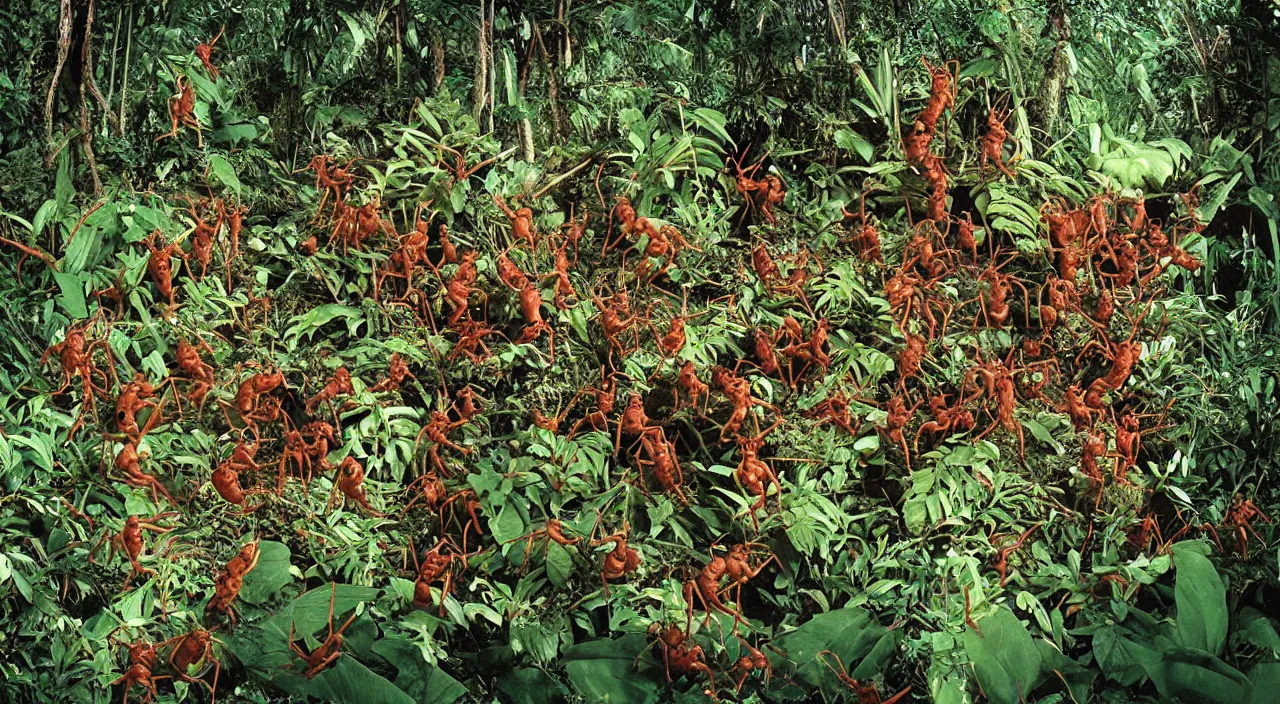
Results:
<point x="1004" y="657"/>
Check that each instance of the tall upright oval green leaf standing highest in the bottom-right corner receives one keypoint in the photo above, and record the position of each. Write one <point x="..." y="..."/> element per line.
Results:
<point x="1201" y="597"/>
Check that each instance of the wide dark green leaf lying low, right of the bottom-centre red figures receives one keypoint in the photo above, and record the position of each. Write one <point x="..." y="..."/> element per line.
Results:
<point x="862" y="646"/>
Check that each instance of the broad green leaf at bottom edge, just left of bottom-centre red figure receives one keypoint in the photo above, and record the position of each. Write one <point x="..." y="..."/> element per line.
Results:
<point x="602" y="671"/>
